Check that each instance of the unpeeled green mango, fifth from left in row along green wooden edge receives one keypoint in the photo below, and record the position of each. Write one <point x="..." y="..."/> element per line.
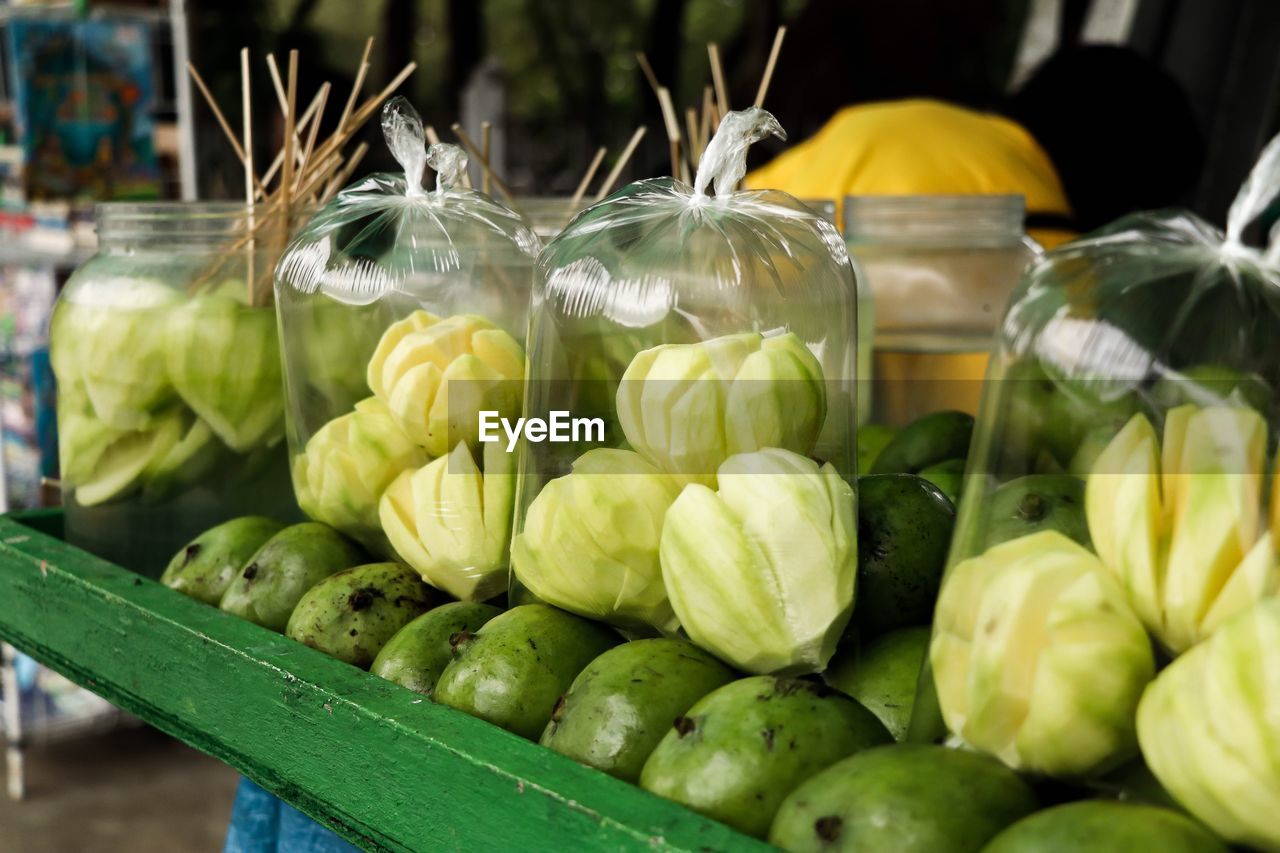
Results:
<point x="515" y="669"/>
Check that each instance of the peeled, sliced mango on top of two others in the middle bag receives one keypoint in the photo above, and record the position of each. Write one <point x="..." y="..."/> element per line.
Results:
<point x="687" y="408"/>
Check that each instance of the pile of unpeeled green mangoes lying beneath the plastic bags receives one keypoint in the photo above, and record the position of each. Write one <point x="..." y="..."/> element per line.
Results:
<point x="811" y="764"/>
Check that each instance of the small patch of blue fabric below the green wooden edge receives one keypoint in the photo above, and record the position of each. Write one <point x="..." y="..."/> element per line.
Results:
<point x="264" y="824"/>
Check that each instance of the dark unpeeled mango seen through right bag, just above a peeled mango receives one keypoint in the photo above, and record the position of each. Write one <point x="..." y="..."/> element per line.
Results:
<point x="1036" y="503"/>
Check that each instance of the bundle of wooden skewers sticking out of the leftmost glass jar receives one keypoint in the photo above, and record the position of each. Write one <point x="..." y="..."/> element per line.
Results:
<point x="307" y="172"/>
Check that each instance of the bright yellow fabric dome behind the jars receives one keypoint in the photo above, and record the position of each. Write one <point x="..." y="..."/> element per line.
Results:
<point x="920" y="147"/>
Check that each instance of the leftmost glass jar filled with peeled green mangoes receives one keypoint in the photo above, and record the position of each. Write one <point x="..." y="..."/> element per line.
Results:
<point x="171" y="409"/>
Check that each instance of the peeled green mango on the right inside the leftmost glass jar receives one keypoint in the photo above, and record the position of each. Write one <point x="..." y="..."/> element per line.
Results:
<point x="225" y="361"/>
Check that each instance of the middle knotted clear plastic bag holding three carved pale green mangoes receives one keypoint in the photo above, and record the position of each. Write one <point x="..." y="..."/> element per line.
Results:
<point x="711" y="340"/>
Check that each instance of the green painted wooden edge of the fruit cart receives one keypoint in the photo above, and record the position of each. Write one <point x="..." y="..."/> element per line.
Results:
<point x="376" y="763"/>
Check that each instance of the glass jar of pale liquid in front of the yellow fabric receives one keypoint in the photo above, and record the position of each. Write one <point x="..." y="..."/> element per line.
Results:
<point x="940" y="271"/>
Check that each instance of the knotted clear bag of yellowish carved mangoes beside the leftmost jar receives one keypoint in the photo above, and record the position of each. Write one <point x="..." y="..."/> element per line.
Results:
<point x="403" y="313"/>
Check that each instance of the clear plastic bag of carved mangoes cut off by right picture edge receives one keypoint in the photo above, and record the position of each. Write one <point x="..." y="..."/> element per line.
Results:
<point x="1121" y="508"/>
